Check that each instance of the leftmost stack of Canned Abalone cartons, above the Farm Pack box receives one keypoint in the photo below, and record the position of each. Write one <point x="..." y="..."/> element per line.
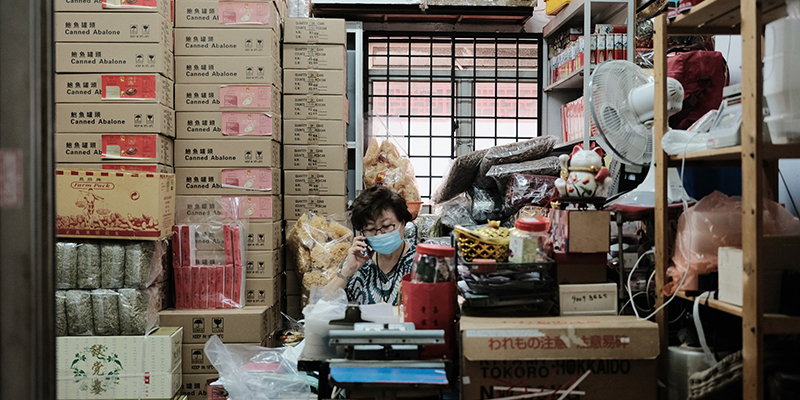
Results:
<point x="114" y="88"/>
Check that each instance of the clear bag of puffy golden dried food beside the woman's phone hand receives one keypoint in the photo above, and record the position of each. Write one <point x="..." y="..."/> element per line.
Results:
<point x="319" y="246"/>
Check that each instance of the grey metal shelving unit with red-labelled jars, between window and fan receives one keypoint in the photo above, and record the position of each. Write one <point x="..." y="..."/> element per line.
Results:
<point x="579" y="13"/>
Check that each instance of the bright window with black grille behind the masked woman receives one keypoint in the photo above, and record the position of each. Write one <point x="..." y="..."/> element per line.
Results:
<point x="441" y="96"/>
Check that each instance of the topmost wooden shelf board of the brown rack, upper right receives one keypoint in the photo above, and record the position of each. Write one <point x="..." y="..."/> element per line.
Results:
<point x="721" y="17"/>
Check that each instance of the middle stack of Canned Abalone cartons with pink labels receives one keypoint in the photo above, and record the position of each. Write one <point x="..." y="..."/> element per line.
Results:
<point x="228" y="102"/>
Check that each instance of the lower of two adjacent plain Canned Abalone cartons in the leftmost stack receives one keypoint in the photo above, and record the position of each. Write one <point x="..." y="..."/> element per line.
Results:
<point x="128" y="58"/>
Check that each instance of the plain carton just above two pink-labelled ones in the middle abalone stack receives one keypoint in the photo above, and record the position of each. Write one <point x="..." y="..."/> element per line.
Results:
<point x="228" y="70"/>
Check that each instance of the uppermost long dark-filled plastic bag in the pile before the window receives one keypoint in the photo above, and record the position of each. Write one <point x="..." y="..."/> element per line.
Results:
<point x="513" y="153"/>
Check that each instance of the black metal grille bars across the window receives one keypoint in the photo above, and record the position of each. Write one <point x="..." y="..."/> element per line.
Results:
<point x="462" y="95"/>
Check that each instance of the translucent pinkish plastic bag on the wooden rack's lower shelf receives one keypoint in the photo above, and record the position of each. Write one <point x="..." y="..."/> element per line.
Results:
<point x="714" y="222"/>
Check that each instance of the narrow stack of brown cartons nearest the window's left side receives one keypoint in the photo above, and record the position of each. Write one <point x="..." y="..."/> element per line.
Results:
<point x="315" y="118"/>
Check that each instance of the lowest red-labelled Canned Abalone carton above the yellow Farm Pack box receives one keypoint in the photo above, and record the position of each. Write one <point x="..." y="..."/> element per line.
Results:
<point x="99" y="148"/>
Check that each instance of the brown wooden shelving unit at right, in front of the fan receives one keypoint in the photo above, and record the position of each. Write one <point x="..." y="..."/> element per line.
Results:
<point x="757" y="159"/>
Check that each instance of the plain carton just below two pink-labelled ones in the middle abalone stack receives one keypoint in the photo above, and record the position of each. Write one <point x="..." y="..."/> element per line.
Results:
<point x="262" y="153"/>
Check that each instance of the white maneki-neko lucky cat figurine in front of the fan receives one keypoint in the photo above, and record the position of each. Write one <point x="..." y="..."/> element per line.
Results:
<point x="583" y="174"/>
